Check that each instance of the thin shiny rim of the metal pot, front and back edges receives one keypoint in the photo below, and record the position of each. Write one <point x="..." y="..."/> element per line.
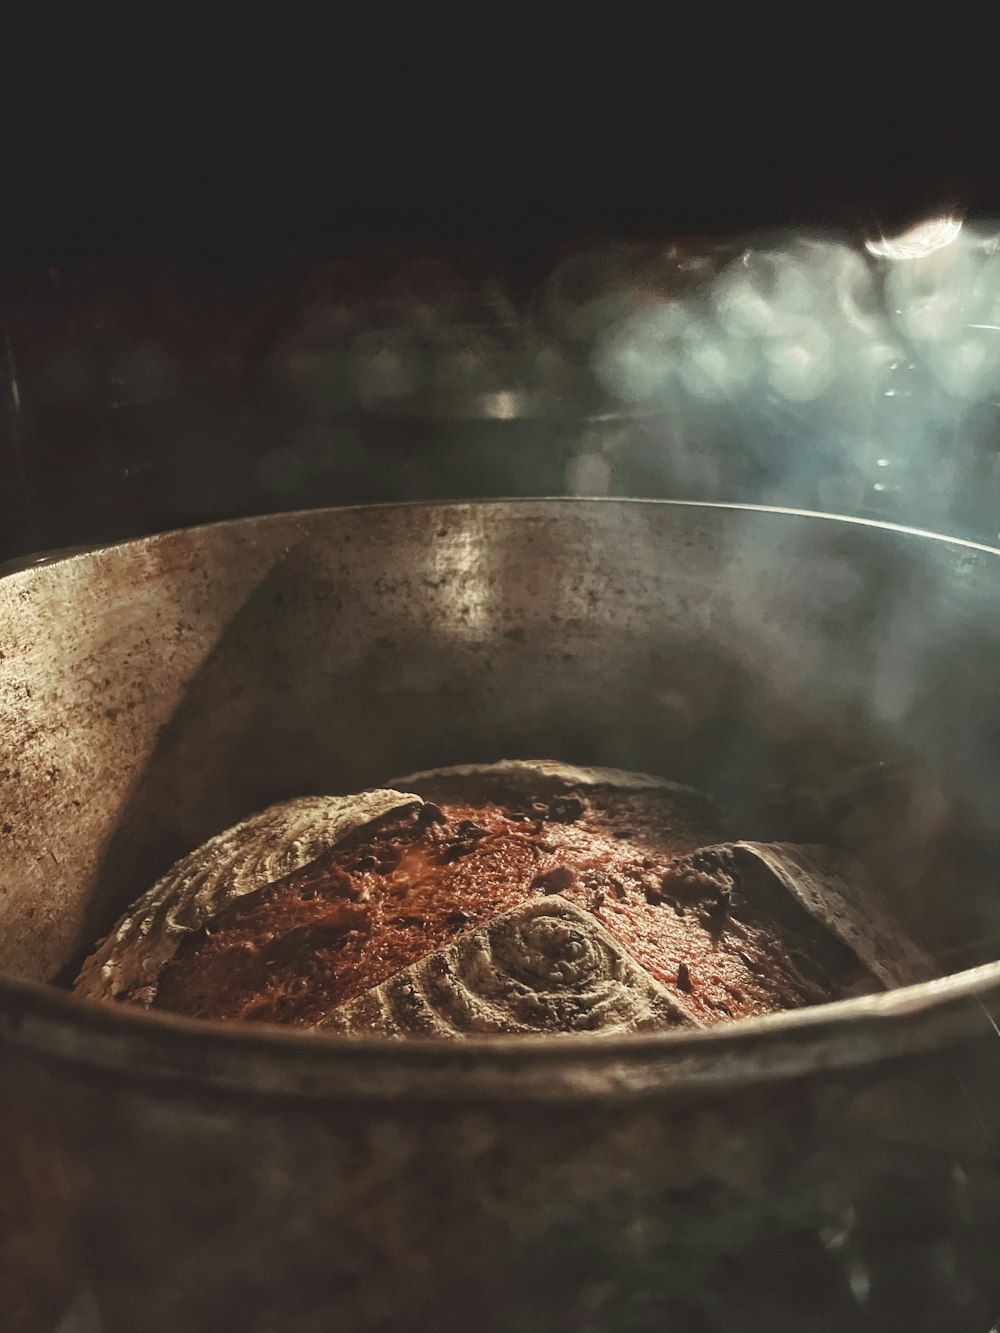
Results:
<point x="283" y="1062"/>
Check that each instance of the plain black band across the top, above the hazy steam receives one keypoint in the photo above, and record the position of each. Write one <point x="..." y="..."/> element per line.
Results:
<point x="233" y="130"/>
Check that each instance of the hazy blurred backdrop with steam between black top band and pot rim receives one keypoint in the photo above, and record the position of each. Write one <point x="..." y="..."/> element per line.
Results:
<point x="802" y="371"/>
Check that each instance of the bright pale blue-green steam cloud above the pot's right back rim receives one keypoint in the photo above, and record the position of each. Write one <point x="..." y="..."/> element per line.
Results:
<point x="867" y="367"/>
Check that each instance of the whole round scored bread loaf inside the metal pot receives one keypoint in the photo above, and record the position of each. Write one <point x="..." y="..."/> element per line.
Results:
<point x="515" y="898"/>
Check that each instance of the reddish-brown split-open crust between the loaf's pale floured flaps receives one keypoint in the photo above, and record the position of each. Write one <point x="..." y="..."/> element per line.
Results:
<point x="434" y="872"/>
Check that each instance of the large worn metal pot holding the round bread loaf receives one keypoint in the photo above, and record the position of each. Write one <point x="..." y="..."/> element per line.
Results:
<point x="831" y="1170"/>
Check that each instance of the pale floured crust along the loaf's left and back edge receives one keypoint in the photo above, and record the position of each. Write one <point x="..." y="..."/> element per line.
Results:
<point x="273" y="844"/>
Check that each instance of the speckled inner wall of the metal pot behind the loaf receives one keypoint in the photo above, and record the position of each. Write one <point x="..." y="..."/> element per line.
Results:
<point x="825" y="679"/>
